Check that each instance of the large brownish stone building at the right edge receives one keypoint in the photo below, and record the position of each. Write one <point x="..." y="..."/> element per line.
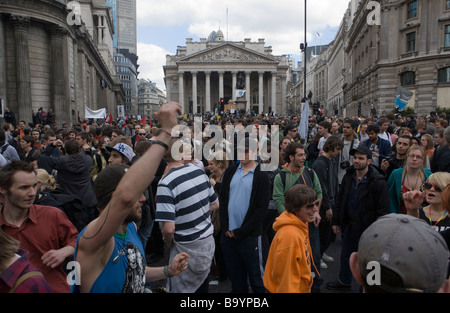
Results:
<point x="409" y="48"/>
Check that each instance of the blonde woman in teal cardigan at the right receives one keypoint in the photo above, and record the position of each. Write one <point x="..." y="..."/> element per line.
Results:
<point x="409" y="178"/>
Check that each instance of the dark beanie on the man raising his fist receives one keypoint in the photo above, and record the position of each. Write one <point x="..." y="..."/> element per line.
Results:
<point x="107" y="181"/>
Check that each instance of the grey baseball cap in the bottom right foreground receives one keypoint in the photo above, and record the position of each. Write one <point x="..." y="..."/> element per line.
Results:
<point x="410" y="248"/>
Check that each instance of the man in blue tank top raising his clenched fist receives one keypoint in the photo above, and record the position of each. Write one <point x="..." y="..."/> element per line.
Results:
<point x="104" y="253"/>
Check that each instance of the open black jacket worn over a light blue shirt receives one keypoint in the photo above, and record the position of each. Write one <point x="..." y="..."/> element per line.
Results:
<point x="258" y="207"/>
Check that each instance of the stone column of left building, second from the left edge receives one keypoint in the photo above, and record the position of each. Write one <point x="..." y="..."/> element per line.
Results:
<point x="60" y="99"/>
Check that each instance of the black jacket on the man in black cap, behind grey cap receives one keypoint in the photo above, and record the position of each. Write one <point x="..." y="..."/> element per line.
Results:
<point x="372" y="201"/>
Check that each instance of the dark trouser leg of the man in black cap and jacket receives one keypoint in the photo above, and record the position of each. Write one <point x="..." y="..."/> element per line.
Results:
<point x="349" y="245"/>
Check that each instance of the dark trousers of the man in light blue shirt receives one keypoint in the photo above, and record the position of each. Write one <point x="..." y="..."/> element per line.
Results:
<point x="243" y="259"/>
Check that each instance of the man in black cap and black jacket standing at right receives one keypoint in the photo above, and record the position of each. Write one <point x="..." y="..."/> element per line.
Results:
<point x="362" y="198"/>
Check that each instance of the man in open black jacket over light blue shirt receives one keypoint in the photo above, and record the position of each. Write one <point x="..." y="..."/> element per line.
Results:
<point x="244" y="199"/>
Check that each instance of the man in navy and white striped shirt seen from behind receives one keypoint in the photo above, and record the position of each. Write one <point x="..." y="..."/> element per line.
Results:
<point x="184" y="199"/>
